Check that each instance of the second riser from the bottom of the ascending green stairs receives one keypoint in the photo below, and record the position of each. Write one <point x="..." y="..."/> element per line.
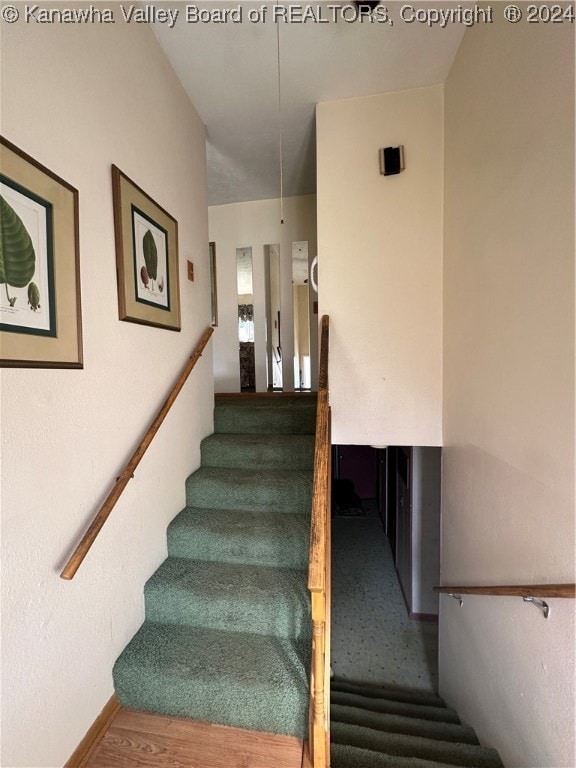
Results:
<point x="286" y="616"/>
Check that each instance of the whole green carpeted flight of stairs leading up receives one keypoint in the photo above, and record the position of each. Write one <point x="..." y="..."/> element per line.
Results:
<point x="226" y="638"/>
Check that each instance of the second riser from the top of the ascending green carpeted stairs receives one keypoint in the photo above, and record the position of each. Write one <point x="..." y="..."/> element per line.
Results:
<point x="294" y="455"/>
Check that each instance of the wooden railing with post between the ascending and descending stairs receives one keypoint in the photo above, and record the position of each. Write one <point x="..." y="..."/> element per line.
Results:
<point x="319" y="574"/>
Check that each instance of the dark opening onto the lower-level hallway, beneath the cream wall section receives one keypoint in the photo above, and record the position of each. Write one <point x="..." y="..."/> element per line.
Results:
<point x="385" y="561"/>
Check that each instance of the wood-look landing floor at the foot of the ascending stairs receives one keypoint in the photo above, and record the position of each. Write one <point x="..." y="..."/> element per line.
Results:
<point x="140" y="740"/>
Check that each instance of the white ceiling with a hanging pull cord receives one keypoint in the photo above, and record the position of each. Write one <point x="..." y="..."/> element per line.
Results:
<point x="230" y="73"/>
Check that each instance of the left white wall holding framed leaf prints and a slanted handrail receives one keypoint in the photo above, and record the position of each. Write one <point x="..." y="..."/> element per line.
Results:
<point x="78" y="98"/>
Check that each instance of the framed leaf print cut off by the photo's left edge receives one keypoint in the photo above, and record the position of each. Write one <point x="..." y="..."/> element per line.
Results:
<point x="40" y="312"/>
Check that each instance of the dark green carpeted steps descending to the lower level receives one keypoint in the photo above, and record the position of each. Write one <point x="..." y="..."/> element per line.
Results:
<point x="373" y="727"/>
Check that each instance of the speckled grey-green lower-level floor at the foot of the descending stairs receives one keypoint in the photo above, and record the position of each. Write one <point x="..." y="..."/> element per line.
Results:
<point x="373" y="639"/>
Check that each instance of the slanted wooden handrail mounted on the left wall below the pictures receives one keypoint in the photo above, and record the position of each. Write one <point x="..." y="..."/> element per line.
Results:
<point x="102" y="515"/>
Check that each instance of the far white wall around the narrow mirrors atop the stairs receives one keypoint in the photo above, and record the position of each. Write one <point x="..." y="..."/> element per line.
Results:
<point x="256" y="224"/>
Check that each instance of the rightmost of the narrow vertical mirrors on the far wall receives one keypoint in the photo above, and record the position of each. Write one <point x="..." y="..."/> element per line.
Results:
<point x="301" y="299"/>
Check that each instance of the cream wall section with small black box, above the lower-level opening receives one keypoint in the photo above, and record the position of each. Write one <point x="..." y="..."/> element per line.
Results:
<point x="380" y="266"/>
